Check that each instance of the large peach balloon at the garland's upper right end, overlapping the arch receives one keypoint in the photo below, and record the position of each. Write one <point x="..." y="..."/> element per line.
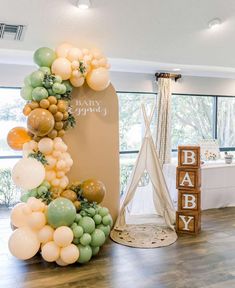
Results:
<point x="98" y="79"/>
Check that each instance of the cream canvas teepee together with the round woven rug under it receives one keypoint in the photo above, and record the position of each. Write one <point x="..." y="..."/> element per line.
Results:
<point x="147" y="162"/>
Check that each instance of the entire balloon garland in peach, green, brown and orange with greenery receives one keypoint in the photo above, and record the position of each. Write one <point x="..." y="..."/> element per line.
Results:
<point x="62" y="220"/>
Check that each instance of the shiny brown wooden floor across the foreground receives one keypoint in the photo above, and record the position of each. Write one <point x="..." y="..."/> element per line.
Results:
<point x="204" y="261"/>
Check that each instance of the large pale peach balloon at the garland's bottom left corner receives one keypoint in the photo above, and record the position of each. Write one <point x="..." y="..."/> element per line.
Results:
<point x="23" y="243"/>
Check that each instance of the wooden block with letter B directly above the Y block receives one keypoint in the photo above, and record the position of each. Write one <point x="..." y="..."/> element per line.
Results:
<point x="189" y="200"/>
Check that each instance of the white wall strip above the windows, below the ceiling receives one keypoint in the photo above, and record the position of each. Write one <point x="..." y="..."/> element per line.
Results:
<point x="13" y="76"/>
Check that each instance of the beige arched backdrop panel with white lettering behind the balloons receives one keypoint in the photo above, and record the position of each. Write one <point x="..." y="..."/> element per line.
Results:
<point x="94" y="141"/>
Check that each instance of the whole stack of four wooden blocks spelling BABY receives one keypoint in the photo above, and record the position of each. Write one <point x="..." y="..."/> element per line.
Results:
<point x="188" y="183"/>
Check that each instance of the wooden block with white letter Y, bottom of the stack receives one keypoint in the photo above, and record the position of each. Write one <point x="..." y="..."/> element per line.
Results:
<point x="188" y="222"/>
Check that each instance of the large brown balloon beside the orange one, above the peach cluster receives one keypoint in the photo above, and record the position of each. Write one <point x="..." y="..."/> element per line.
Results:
<point x="40" y="122"/>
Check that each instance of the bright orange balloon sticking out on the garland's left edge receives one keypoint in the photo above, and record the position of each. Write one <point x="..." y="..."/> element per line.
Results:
<point x="17" y="137"/>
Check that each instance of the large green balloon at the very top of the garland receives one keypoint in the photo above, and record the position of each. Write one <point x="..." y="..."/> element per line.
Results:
<point x="44" y="57"/>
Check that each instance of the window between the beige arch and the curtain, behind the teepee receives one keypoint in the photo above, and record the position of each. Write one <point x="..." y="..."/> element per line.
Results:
<point x="131" y="127"/>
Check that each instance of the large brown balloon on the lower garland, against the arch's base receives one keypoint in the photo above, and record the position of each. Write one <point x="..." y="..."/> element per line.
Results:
<point x="93" y="190"/>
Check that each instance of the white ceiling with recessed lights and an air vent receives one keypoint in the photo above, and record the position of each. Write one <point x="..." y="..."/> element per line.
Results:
<point x="168" y="32"/>
